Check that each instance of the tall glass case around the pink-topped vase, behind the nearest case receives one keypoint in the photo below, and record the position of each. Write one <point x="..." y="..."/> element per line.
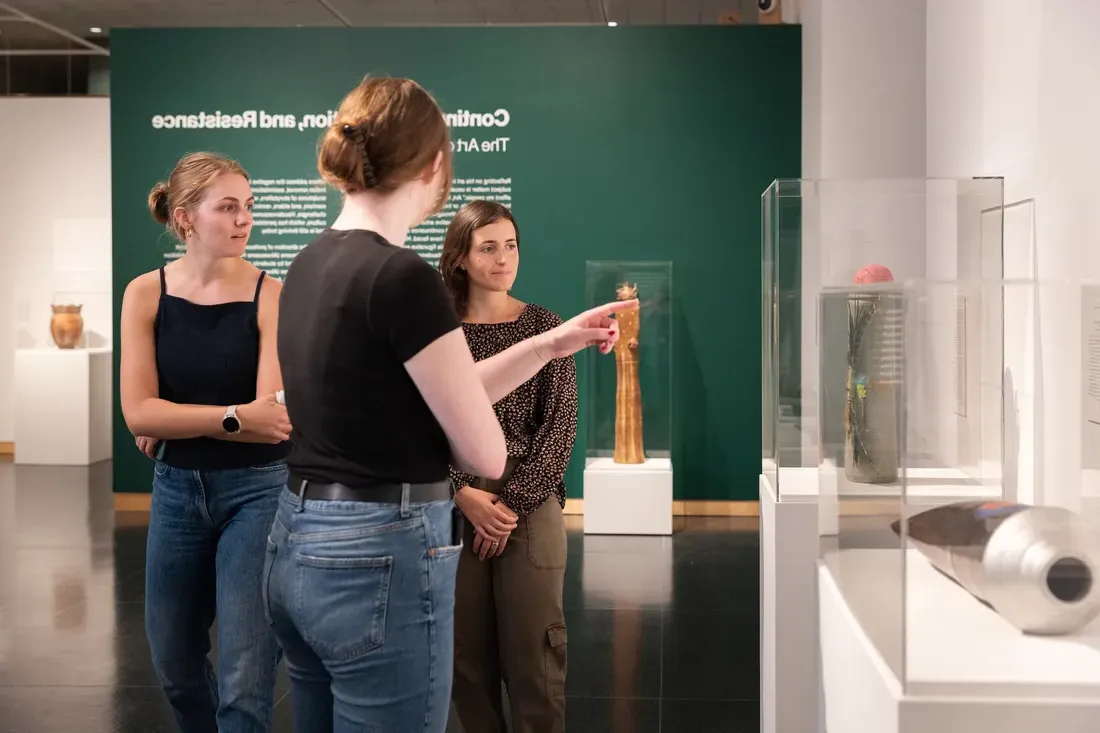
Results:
<point x="828" y="234"/>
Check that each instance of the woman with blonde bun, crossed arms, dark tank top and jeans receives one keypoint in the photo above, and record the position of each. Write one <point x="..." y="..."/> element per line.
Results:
<point x="199" y="377"/>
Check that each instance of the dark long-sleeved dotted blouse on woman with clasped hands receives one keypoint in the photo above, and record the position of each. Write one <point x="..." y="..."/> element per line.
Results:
<point x="538" y="419"/>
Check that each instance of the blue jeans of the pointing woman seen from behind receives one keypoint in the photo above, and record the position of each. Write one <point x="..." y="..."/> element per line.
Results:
<point x="362" y="599"/>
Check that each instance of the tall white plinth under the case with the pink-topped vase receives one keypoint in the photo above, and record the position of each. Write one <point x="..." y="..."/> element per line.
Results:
<point x="789" y="551"/>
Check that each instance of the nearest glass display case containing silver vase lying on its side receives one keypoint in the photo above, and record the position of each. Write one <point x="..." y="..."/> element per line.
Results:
<point x="959" y="501"/>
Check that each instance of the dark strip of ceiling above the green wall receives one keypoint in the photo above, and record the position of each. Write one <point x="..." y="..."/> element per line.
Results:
<point x="79" y="16"/>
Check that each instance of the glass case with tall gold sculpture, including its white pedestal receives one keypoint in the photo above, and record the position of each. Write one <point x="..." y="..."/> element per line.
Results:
<point x="629" y="400"/>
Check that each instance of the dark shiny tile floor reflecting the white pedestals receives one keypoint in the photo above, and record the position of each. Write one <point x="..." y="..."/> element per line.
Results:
<point x="664" y="632"/>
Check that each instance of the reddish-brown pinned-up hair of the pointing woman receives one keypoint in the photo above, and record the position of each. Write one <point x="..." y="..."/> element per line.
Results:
<point x="386" y="134"/>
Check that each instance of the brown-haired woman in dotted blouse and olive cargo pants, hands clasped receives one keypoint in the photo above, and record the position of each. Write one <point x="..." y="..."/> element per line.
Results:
<point x="509" y="618"/>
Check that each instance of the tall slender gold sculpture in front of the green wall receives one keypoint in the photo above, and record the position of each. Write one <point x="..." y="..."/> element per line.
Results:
<point x="629" y="445"/>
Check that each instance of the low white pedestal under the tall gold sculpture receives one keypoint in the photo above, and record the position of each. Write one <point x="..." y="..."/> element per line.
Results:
<point x="629" y="499"/>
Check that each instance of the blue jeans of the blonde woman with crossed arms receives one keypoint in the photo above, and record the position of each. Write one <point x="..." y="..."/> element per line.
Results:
<point x="205" y="559"/>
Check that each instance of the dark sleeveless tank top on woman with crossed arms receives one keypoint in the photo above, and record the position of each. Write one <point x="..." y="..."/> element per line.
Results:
<point x="210" y="355"/>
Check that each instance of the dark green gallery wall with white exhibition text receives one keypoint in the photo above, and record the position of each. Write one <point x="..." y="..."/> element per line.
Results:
<point x="640" y="145"/>
